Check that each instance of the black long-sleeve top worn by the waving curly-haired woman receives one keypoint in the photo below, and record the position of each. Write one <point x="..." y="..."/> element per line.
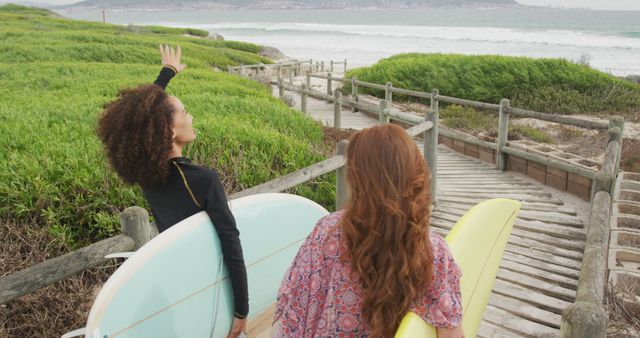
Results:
<point x="174" y="201"/>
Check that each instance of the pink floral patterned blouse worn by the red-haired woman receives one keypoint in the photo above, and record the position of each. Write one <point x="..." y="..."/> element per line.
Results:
<point x="320" y="298"/>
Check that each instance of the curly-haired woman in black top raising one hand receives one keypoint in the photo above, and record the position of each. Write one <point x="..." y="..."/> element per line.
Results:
<point x="144" y="131"/>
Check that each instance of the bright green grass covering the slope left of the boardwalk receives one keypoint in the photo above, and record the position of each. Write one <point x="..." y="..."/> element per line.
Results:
<point x="56" y="75"/>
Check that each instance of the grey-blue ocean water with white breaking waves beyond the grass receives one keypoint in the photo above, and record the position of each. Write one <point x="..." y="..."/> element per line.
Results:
<point x="608" y="40"/>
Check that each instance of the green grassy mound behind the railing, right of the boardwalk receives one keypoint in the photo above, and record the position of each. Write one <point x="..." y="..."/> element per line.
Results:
<point x="547" y="85"/>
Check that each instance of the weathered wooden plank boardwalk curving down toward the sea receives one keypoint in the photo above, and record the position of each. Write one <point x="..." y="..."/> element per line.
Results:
<point x="539" y="273"/>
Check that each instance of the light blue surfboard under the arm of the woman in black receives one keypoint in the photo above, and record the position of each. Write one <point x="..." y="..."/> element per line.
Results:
<point x="174" y="285"/>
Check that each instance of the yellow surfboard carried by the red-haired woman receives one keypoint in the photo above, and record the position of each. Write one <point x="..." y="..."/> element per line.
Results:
<point x="477" y="243"/>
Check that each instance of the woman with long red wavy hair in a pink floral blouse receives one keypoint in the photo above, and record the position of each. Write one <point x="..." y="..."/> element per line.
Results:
<point x="364" y="267"/>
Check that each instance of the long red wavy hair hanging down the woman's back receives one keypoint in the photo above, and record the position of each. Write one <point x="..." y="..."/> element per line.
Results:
<point x="386" y="224"/>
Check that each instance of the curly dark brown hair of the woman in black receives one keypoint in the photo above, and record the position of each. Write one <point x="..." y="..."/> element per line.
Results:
<point x="136" y="131"/>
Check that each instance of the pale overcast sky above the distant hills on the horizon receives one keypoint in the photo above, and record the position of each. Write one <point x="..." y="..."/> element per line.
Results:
<point x="593" y="4"/>
